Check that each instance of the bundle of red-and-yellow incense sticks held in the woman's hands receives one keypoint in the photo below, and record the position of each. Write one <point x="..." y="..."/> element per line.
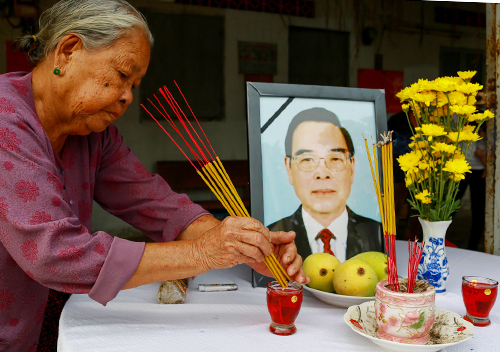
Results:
<point x="210" y="167"/>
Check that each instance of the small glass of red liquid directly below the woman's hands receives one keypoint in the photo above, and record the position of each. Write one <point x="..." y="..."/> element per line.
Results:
<point x="283" y="304"/>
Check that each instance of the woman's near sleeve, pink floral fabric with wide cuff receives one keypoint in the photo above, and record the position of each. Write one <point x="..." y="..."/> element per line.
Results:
<point x="39" y="225"/>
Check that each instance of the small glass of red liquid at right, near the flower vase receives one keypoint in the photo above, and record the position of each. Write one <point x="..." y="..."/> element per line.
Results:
<point x="479" y="295"/>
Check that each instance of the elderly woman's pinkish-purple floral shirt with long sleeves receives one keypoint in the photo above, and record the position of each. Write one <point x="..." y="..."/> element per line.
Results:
<point x="46" y="210"/>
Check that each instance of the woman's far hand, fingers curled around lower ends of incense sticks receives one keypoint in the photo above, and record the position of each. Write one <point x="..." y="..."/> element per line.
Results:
<point x="285" y="251"/>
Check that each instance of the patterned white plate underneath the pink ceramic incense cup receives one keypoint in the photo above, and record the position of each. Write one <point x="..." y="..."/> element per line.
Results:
<point x="452" y="329"/>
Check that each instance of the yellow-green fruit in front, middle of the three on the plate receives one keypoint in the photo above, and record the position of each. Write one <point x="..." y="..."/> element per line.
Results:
<point x="355" y="277"/>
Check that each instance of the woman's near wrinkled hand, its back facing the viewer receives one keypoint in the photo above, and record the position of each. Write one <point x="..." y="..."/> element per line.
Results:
<point x="235" y="240"/>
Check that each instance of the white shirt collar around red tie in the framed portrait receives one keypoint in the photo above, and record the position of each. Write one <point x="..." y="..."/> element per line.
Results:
<point x="338" y="227"/>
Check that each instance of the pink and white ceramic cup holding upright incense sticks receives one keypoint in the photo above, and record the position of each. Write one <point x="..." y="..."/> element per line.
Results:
<point x="405" y="317"/>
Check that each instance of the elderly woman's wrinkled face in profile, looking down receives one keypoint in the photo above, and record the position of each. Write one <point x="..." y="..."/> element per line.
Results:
<point x="99" y="84"/>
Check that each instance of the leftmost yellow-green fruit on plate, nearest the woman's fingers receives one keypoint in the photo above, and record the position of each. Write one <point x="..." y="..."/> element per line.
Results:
<point x="320" y="268"/>
